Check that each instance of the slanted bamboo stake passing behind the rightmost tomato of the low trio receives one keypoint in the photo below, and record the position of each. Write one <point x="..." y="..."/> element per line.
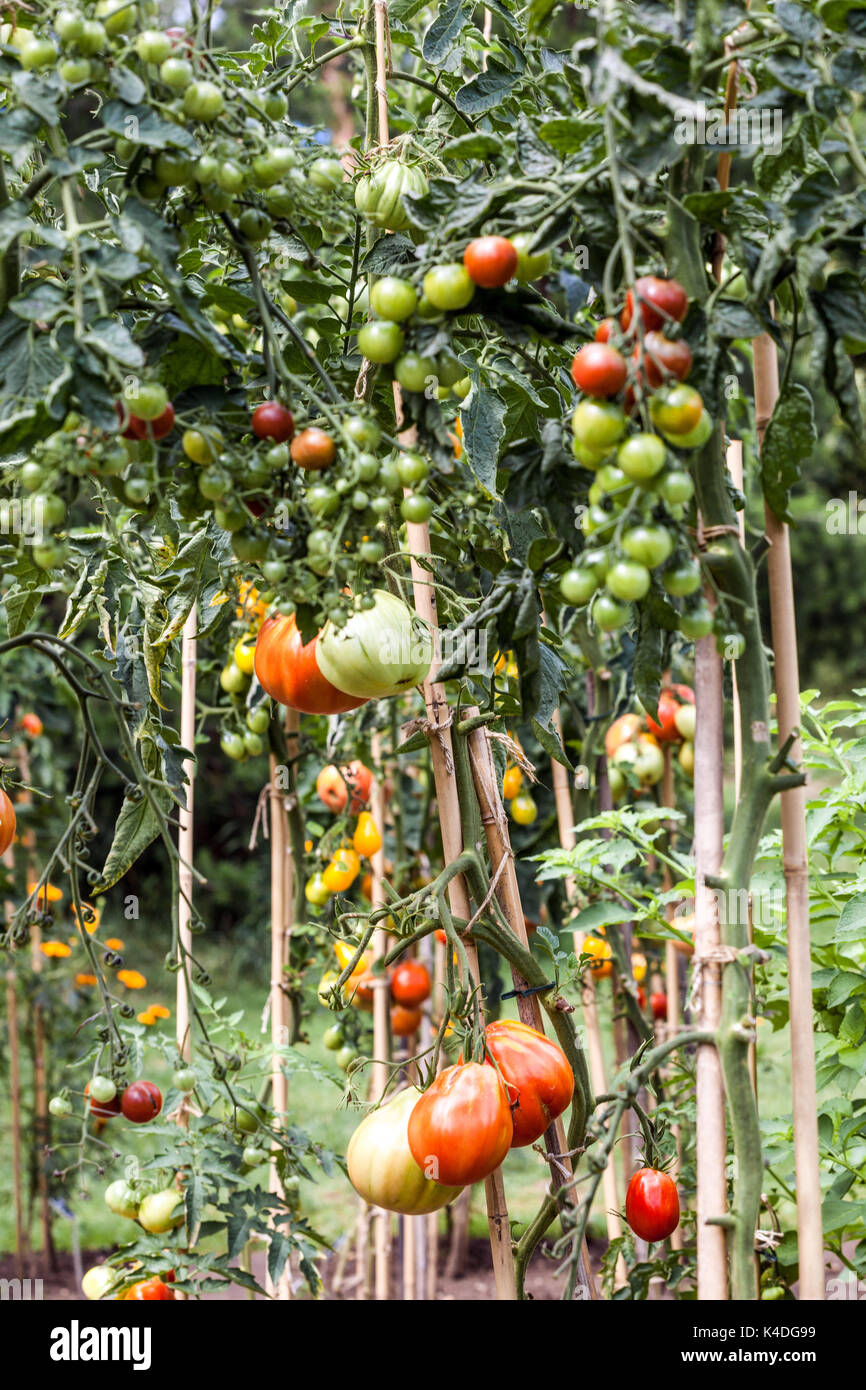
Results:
<point x="508" y="894"/>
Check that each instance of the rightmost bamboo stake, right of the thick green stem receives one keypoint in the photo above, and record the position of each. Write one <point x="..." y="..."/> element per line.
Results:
<point x="793" y="807"/>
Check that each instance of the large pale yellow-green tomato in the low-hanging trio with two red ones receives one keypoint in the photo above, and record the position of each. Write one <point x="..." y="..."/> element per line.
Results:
<point x="382" y="1167"/>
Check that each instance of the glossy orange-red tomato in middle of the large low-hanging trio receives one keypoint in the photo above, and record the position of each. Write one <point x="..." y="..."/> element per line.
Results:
<point x="462" y="1128"/>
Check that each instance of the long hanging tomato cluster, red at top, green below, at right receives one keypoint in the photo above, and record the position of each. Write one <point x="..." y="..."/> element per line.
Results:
<point x="637" y="368"/>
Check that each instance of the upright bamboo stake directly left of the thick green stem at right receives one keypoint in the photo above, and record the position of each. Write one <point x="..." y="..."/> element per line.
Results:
<point x="710" y="828"/>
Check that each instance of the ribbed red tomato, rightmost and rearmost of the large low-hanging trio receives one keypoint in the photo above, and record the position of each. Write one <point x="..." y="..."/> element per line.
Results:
<point x="536" y="1074"/>
